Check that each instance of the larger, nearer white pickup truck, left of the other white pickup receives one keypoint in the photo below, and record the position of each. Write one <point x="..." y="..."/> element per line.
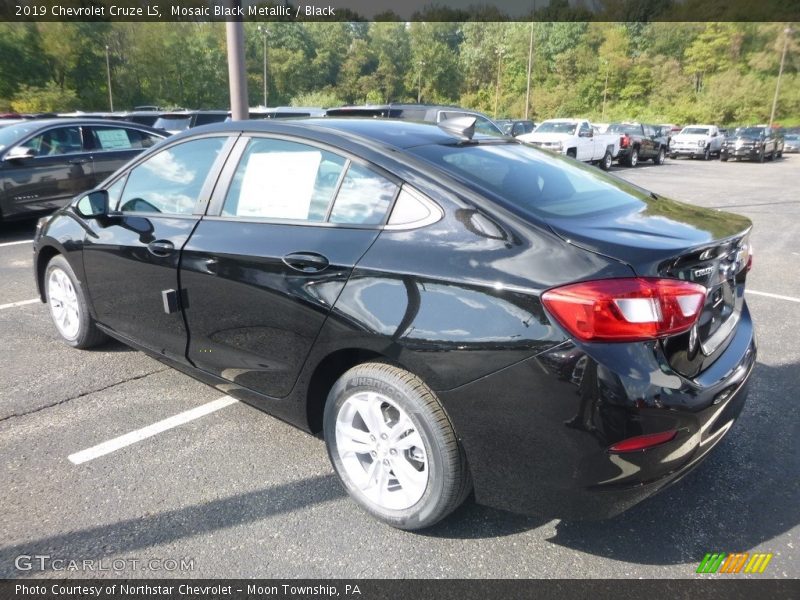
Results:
<point x="576" y="138"/>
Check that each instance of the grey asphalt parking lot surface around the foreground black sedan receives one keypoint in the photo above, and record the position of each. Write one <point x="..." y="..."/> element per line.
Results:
<point x="237" y="493"/>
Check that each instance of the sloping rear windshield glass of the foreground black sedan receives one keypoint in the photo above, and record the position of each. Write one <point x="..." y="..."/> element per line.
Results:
<point x="531" y="180"/>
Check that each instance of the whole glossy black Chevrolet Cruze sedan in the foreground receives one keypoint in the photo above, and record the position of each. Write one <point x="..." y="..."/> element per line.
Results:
<point x="453" y="312"/>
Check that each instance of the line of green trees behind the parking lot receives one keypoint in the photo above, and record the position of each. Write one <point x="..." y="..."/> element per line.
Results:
<point x="659" y="72"/>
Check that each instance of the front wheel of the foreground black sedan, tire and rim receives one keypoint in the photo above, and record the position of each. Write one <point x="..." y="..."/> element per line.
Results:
<point x="82" y="331"/>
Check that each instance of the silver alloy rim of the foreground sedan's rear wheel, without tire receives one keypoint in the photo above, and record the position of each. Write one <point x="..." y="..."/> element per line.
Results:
<point x="381" y="451"/>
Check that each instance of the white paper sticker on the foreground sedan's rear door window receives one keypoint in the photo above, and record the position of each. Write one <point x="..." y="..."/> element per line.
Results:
<point x="279" y="185"/>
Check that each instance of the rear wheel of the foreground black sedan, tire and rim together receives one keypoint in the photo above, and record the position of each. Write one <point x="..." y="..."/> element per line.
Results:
<point x="401" y="395"/>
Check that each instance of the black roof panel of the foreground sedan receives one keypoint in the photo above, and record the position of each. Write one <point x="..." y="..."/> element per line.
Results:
<point x="393" y="132"/>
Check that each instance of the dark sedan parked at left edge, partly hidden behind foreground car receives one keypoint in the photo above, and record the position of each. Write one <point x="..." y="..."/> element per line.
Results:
<point x="44" y="163"/>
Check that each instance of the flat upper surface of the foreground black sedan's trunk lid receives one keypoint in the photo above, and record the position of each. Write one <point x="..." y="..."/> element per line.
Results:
<point x="649" y="233"/>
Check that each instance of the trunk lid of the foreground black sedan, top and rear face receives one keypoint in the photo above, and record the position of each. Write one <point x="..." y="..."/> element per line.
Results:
<point x="664" y="238"/>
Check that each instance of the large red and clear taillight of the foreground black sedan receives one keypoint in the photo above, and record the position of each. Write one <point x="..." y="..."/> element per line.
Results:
<point x="626" y="310"/>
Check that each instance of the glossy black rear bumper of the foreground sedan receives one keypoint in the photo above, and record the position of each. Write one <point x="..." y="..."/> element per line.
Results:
<point x="537" y="433"/>
